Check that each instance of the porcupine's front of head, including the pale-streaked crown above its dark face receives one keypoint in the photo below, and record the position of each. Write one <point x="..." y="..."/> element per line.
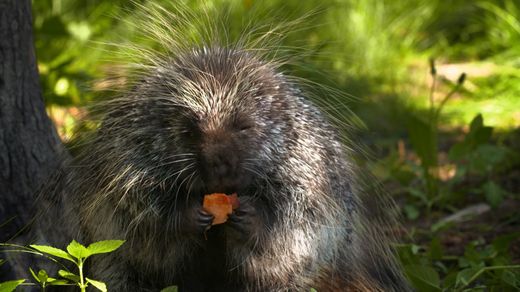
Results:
<point x="226" y="123"/>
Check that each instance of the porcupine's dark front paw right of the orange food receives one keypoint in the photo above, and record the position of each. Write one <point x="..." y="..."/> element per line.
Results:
<point x="245" y="219"/>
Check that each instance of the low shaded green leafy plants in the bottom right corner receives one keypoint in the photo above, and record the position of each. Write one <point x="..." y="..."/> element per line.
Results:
<point x="430" y="269"/>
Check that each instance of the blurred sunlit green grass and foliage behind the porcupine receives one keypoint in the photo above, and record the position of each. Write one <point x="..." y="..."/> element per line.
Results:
<point x="432" y="89"/>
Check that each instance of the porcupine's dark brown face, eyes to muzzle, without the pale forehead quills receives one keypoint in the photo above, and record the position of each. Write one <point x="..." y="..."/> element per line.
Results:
<point x="223" y="147"/>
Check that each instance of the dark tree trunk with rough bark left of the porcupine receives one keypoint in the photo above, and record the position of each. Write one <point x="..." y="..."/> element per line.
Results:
<point x="29" y="144"/>
